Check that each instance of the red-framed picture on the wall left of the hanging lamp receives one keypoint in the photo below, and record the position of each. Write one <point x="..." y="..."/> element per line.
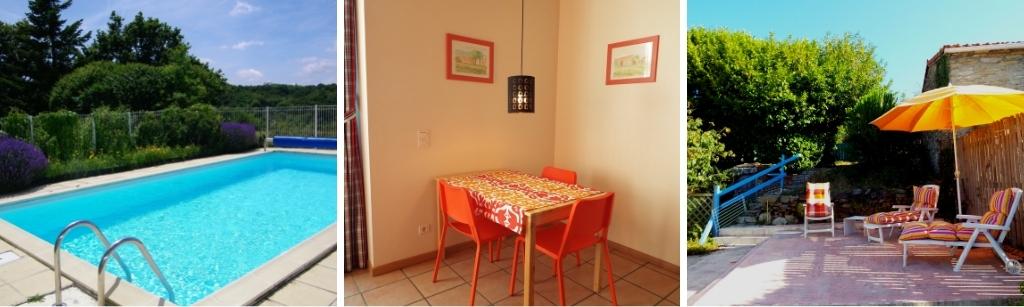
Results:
<point x="470" y="59"/>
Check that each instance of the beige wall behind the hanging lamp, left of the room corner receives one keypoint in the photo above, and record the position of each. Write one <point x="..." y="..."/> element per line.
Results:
<point x="406" y="91"/>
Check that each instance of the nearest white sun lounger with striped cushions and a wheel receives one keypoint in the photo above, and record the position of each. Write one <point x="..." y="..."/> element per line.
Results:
<point x="977" y="232"/>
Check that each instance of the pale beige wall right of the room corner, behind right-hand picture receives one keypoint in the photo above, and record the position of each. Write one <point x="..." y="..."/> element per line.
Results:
<point x="623" y="139"/>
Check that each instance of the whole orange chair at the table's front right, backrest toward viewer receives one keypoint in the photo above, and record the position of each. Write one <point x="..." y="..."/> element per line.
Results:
<point x="587" y="227"/>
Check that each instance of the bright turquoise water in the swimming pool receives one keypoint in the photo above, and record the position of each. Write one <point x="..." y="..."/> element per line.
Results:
<point x="205" y="227"/>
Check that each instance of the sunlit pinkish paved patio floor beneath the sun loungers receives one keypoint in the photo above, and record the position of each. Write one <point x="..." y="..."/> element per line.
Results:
<point x="789" y="270"/>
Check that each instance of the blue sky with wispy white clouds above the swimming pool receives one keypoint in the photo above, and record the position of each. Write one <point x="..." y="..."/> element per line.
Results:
<point x="251" y="41"/>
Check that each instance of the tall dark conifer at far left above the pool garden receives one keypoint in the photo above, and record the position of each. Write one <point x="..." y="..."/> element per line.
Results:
<point x="52" y="50"/>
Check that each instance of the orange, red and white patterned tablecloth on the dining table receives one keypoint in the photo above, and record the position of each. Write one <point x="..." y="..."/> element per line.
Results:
<point x="505" y="197"/>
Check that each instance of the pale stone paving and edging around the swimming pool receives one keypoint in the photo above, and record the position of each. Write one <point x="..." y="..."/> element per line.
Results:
<point x="27" y="279"/>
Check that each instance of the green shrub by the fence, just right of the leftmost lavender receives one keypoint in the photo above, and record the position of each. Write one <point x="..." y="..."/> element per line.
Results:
<point x="63" y="139"/>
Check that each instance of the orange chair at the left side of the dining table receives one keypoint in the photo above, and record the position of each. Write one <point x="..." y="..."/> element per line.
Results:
<point x="457" y="206"/>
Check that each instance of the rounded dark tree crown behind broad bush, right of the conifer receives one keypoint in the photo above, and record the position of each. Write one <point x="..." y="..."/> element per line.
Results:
<point x="144" y="40"/>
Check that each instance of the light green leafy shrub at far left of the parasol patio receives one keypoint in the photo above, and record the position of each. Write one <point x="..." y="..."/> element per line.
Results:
<point x="704" y="151"/>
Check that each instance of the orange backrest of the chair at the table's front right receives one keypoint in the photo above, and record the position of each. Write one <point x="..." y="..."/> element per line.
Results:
<point x="588" y="223"/>
